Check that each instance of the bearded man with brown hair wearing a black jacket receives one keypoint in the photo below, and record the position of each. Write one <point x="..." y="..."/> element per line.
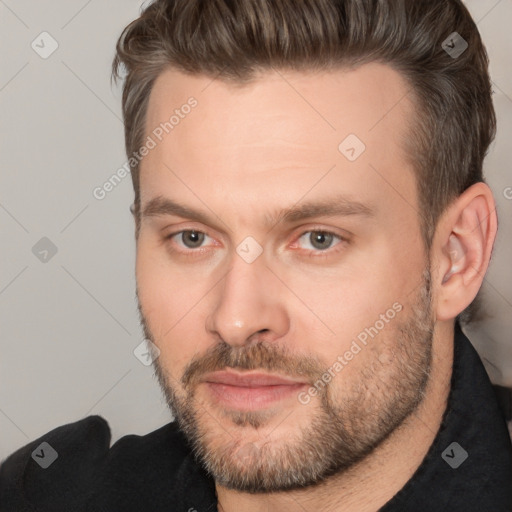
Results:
<point x="312" y="224"/>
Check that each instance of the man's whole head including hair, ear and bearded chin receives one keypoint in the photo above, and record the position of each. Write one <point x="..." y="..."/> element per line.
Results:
<point x="314" y="213"/>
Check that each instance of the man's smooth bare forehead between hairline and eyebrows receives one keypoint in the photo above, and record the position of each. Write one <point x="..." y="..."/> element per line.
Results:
<point x="284" y="129"/>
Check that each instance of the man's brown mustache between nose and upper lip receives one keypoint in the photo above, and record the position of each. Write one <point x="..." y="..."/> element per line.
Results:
<point x="261" y="356"/>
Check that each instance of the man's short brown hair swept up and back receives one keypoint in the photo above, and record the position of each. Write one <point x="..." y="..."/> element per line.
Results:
<point x="232" y="40"/>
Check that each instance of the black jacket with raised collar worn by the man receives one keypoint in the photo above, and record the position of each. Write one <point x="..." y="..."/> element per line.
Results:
<point x="157" y="472"/>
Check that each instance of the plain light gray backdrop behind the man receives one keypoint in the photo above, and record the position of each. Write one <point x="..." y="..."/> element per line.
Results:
<point x="69" y="324"/>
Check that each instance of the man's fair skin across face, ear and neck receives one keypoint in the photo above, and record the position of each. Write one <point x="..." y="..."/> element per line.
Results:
<point x="246" y="152"/>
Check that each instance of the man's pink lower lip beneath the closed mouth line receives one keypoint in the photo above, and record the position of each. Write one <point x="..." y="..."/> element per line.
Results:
<point x="252" y="398"/>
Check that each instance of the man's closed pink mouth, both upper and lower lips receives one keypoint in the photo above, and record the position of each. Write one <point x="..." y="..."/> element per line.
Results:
<point x="250" y="390"/>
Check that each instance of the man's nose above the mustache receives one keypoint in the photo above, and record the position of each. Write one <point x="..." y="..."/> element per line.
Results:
<point x="248" y="302"/>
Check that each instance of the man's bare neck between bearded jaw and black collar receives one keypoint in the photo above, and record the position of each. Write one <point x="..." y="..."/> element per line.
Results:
<point x="391" y="464"/>
